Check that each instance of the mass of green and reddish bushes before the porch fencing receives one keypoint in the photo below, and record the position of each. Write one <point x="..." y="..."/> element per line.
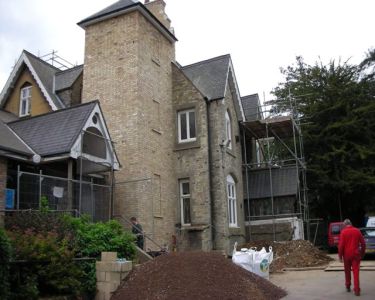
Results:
<point x="49" y="242"/>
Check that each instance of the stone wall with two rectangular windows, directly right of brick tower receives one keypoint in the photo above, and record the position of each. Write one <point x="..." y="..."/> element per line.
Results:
<point x="191" y="162"/>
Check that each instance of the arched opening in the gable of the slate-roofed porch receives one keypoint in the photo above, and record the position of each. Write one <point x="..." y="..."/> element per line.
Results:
<point x="94" y="143"/>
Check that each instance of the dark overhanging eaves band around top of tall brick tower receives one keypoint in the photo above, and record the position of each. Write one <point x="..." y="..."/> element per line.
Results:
<point x="133" y="7"/>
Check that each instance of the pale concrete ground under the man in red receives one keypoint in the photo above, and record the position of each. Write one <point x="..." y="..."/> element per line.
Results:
<point x="319" y="285"/>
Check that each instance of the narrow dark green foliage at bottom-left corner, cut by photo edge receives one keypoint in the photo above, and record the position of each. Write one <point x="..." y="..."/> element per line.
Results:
<point x="5" y="256"/>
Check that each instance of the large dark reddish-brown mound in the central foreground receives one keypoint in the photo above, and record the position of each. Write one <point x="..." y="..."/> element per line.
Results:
<point x="194" y="275"/>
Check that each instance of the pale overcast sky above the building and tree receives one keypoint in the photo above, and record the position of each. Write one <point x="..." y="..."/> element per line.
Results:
<point x="261" y="35"/>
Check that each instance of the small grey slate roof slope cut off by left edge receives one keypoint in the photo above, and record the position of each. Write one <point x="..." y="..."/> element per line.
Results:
<point x="9" y="141"/>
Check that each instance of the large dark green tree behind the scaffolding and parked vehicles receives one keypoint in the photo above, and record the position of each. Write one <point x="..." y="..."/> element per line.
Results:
<point x="336" y="105"/>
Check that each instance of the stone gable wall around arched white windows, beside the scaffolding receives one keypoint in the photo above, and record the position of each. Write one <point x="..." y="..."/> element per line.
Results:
<point x="226" y="162"/>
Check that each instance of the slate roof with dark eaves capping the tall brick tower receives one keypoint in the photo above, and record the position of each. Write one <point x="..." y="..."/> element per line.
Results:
<point x="122" y="7"/>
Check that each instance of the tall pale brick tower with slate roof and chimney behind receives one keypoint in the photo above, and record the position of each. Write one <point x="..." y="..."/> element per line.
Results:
<point x="129" y="50"/>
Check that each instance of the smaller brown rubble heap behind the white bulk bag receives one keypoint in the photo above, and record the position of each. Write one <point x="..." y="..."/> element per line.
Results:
<point x="292" y="254"/>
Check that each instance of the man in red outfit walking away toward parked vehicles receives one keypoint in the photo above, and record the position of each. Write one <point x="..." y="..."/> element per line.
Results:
<point x="351" y="249"/>
